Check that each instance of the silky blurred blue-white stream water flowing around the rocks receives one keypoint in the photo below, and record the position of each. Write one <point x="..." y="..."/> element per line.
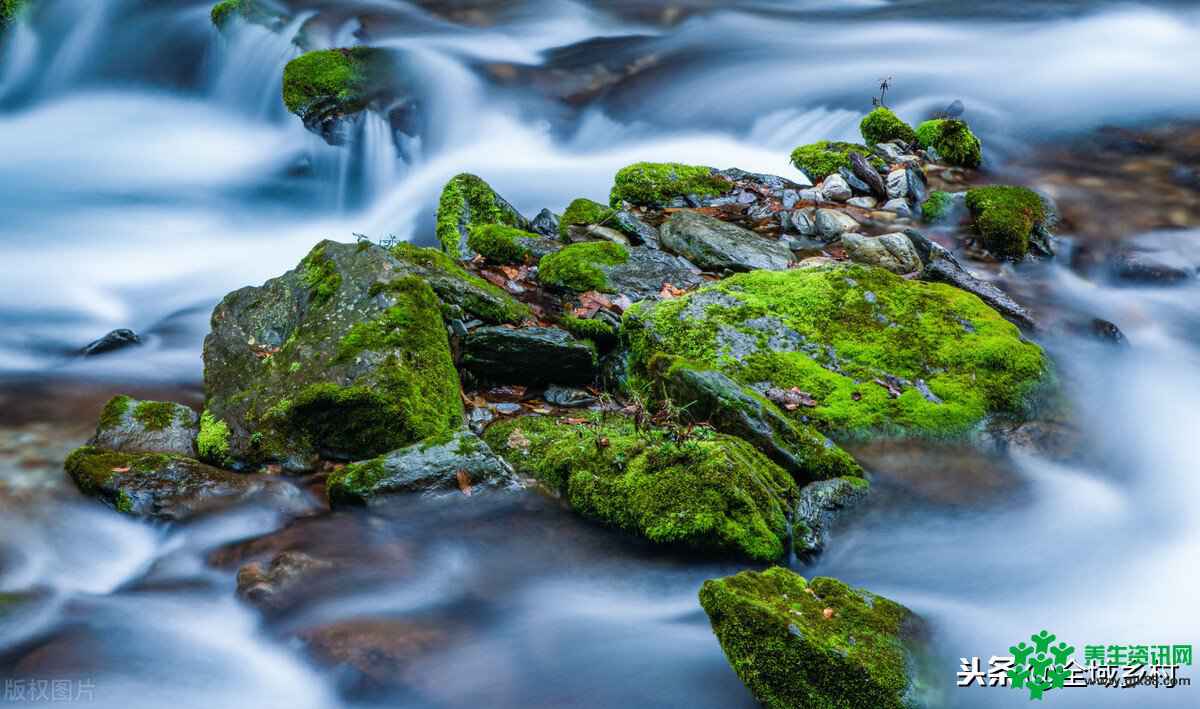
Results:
<point x="148" y="169"/>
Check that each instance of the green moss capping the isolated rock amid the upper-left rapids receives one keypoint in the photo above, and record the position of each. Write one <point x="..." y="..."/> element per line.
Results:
<point x="334" y="77"/>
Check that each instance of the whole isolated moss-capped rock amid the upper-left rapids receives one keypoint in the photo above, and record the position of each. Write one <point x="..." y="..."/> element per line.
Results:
<point x="327" y="87"/>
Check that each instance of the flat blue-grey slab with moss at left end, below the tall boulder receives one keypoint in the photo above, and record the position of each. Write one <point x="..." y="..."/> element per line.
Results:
<point x="458" y="464"/>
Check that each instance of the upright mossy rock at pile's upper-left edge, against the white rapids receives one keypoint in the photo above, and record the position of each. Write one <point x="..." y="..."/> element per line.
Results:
<point x="469" y="201"/>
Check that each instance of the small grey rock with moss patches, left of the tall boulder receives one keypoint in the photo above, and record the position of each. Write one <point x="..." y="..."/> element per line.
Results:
<point x="129" y="425"/>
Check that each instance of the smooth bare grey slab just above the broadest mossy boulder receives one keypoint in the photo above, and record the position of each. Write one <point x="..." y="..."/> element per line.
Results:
<point x="715" y="245"/>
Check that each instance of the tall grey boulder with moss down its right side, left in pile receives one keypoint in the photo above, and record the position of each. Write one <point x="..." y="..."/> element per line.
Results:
<point x="345" y="357"/>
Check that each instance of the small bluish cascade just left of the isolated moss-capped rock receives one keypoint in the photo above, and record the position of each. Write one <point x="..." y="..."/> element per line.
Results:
<point x="248" y="74"/>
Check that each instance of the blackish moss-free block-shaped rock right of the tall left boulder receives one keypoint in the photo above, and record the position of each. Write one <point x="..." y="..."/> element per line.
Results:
<point x="529" y="356"/>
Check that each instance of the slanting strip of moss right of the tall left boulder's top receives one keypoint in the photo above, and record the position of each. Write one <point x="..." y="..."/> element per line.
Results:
<point x="481" y="299"/>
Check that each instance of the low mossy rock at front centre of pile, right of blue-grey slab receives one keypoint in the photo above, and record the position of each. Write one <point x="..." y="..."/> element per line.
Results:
<point x="710" y="494"/>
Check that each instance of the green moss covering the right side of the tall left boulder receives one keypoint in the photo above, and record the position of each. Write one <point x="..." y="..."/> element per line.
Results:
<point x="419" y="395"/>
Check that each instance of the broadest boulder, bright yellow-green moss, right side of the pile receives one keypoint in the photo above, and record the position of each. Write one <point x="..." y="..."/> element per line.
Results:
<point x="879" y="354"/>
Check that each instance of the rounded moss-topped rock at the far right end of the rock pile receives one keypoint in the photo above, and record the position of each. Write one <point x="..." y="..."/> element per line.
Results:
<point x="1005" y="218"/>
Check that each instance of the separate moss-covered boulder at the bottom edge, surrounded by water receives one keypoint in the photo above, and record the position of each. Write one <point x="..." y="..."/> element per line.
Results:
<point x="818" y="645"/>
